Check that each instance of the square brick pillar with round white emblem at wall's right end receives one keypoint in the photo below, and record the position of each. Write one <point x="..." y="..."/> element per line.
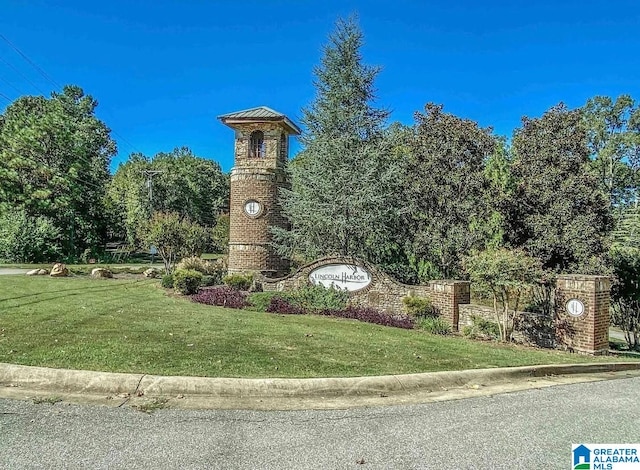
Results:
<point x="582" y="313"/>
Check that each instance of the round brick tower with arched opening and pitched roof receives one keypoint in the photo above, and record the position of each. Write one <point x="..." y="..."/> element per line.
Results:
<point x="261" y="152"/>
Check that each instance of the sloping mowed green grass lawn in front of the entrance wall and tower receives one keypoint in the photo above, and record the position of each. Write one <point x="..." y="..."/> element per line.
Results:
<point x="135" y="326"/>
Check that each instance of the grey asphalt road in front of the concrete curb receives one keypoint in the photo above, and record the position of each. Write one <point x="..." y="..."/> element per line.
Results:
<point x="522" y="430"/>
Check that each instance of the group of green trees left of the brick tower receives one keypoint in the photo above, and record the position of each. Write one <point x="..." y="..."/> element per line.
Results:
<point x="58" y="200"/>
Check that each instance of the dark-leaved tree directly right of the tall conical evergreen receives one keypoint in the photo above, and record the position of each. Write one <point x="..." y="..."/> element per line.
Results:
<point x="445" y="189"/>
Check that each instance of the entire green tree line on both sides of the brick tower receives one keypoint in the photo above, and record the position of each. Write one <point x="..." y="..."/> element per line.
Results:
<point x="417" y="200"/>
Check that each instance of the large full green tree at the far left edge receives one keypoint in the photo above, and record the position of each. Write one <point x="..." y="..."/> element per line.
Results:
<point x="54" y="160"/>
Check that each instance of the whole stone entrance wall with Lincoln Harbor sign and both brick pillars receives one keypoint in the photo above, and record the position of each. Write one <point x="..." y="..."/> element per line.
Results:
<point x="580" y="322"/>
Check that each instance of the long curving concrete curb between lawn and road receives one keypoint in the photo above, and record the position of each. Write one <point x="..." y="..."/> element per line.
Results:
<point x="107" y="383"/>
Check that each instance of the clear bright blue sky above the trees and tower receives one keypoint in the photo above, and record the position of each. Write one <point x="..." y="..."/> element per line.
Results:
<point x="163" y="71"/>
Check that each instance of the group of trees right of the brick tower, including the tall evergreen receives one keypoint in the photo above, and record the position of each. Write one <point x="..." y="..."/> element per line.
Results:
<point x="445" y="198"/>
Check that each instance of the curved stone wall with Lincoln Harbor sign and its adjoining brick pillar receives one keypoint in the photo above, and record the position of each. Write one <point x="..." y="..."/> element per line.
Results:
<point x="377" y="290"/>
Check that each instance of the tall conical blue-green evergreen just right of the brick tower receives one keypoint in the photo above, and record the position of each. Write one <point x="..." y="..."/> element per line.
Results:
<point x="343" y="180"/>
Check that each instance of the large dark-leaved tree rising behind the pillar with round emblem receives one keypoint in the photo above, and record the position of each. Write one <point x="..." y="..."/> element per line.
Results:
<point x="558" y="212"/>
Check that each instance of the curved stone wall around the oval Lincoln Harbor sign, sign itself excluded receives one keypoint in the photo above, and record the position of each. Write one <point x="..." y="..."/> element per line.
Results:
<point x="384" y="293"/>
